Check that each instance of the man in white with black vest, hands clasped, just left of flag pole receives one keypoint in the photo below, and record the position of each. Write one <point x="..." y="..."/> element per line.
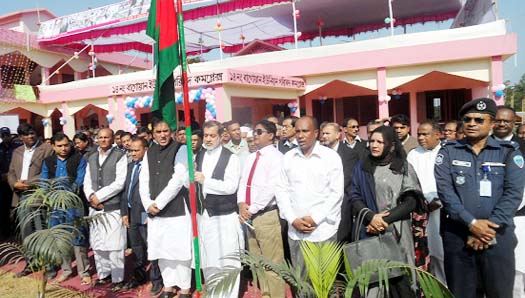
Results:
<point x="162" y="186"/>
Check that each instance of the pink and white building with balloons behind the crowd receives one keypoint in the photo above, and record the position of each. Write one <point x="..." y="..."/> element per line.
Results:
<point x="424" y="75"/>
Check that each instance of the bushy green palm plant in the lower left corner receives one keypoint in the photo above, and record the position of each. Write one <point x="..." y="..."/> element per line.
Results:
<point x="48" y="199"/>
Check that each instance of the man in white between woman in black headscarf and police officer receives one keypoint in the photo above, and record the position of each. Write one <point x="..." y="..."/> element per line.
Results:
<point x="423" y="158"/>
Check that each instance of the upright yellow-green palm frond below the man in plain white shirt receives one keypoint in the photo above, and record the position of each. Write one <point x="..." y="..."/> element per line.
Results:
<point x="322" y="261"/>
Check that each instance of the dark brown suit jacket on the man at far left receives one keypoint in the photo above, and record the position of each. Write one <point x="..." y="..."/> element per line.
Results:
<point x="42" y="151"/>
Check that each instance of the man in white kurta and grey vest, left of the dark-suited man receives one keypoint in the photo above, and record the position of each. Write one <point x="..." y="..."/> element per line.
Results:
<point x="104" y="180"/>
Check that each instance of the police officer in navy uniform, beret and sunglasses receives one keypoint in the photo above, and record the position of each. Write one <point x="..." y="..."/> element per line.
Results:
<point x="480" y="181"/>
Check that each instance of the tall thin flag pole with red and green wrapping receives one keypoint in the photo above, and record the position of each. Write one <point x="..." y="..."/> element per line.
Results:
<point x="187" y="122"/>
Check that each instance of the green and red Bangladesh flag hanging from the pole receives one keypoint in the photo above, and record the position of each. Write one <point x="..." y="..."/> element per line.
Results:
<point x="162" y="27"/>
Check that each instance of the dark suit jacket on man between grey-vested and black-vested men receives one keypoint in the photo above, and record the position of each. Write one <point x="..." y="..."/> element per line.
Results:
<point x="135" y="212"/>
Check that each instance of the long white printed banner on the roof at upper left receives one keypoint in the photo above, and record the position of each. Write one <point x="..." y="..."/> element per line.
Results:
<point x="124" y="11"/>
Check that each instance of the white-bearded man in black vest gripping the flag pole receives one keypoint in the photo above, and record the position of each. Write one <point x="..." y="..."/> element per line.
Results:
<point x="217" y="174"/>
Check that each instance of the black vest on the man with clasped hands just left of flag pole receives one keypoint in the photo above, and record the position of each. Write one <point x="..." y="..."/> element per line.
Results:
<point x="160" y="164"/>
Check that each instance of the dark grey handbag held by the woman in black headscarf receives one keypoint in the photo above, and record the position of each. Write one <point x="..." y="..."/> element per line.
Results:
<point x="384" y="246"/>
